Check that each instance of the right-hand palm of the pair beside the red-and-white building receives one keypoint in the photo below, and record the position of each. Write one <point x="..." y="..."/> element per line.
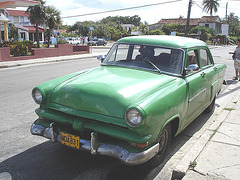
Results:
<point x="52" y="19"/>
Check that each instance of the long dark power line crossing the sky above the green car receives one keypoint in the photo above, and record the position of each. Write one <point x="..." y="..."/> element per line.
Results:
<point x="122" y="9"/>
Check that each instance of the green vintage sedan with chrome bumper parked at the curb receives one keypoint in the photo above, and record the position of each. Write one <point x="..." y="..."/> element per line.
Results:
<point x="146" y="91"/>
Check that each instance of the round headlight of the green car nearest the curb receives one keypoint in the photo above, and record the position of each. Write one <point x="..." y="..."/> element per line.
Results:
<point x="133" y="117"/>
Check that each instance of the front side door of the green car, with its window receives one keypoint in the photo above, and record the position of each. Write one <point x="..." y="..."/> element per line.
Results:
<point x="197" y="86"/>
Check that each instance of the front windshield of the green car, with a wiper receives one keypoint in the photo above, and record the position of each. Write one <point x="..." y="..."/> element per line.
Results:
<point x="154" y="58"/>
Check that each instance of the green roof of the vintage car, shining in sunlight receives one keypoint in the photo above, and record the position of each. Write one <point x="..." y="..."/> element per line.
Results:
<point x="164" y="40"/>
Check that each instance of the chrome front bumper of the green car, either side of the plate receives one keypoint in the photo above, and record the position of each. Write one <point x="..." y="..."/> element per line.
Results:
<point x="96" y="147"/>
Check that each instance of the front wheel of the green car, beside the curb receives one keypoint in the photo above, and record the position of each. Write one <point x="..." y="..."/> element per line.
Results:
<point x="164" y="143"/>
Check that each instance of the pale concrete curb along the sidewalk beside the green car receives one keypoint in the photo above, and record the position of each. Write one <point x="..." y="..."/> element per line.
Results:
<point x="218" y="118"/>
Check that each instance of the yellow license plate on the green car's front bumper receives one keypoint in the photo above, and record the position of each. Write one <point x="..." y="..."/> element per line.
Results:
<point x="70" y="140"/>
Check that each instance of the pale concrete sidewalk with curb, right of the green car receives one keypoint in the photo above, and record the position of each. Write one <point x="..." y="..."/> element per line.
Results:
<point x="216" y="155"/>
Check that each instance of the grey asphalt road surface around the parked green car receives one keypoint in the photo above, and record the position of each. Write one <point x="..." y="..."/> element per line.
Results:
<point x="28" y="157"/>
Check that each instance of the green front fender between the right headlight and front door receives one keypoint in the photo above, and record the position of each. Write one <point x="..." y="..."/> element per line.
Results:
<point x="164" y="106"/>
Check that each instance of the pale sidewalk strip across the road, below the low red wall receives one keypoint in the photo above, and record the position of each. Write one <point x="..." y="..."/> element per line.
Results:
<point x="7" y="64"/>
